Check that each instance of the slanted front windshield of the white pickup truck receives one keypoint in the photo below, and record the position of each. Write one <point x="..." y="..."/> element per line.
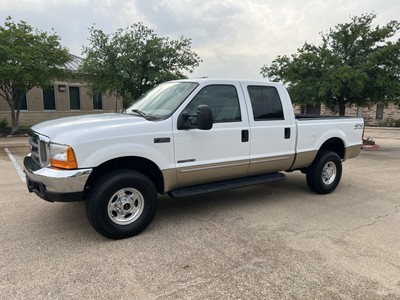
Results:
<point x="161" y="101"/>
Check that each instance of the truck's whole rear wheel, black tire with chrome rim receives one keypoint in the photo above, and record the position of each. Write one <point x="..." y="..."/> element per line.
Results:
<point x="324" y="174"/>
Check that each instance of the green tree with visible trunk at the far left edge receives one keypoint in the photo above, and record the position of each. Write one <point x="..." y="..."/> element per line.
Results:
<point x="28" y="58"/>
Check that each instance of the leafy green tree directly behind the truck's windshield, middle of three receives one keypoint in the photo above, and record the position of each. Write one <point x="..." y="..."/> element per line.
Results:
<point x="133" y="60"/>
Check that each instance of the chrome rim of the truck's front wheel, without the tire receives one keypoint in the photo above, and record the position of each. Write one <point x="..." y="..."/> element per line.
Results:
<point x="125" y="206"/>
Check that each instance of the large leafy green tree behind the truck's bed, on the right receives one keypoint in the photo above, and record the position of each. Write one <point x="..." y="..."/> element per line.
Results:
<point x="355" y="64"/>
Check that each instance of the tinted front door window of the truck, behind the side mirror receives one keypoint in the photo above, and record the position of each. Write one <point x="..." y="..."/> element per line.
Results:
<point x="223" y="101"/>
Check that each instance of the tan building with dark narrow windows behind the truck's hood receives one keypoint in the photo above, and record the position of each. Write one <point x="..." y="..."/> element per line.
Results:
<point x="64" y="98"/>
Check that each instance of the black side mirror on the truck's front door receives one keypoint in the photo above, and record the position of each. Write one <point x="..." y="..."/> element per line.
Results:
<point x="203" y="119"/>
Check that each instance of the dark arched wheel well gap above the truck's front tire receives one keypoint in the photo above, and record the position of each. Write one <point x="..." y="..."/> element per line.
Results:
<point x="139" y="164"/>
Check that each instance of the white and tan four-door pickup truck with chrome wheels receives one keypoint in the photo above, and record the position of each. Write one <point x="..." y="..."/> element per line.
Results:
<point x="184" y="137"/>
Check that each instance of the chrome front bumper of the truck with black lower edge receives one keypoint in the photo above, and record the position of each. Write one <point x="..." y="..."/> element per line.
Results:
<point x="53" y="184"/>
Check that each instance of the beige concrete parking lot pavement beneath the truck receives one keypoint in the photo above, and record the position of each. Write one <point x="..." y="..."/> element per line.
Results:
<point x="276" y="241"/>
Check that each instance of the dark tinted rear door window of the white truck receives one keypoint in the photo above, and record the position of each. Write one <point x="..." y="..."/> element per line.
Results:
<point x="266" y="103"/>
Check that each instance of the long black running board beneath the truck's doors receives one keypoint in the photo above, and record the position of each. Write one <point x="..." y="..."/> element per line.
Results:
<point x="227" y="185"/>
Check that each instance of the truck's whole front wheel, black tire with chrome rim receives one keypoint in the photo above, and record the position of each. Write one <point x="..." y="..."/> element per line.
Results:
<point x="121" y="204"/>
